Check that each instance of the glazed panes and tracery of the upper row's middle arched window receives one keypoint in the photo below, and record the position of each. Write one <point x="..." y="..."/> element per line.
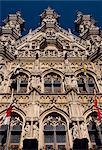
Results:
<point x="52" y="83"/>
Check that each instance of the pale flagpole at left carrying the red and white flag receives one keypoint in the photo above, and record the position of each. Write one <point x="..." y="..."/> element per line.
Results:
<point x="9" y="125"/>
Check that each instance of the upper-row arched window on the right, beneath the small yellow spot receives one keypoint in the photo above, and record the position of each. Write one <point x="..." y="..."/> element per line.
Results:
<point x="86" y="83"/>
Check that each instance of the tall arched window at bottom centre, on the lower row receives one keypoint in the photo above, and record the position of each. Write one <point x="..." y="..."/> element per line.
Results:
<point x="55" y="132"/>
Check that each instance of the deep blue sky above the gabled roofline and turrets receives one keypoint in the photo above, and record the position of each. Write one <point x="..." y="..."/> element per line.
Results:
<point x="31" y="10"/>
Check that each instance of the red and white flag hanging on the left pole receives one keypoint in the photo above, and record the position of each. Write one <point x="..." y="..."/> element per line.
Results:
<point x="6" y="118"/>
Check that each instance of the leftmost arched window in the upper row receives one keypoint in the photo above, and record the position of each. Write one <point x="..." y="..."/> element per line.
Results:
<point x="19" y="83"/>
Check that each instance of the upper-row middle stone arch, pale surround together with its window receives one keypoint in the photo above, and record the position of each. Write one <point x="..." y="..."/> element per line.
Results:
<point x="52" y="81"/>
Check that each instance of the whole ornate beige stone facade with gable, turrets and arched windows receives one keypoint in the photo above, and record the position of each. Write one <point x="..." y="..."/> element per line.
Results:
<point x="52" y="77"/>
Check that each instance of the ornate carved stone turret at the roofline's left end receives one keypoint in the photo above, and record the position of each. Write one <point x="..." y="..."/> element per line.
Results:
<point x="12" y="29"/>
